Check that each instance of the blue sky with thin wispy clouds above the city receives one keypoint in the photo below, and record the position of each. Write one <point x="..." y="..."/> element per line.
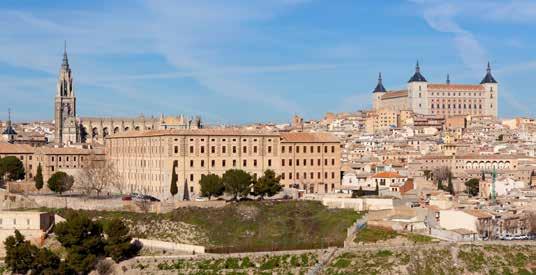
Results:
<point x="245" y="61"/>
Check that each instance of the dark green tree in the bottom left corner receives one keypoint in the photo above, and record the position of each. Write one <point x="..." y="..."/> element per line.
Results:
<point x="23" y="257"/>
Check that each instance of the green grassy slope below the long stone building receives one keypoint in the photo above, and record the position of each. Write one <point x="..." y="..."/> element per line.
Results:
<point x="256" y="226"/>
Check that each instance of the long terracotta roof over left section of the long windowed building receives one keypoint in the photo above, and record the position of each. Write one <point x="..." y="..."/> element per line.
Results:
<point x="196" y="132"/>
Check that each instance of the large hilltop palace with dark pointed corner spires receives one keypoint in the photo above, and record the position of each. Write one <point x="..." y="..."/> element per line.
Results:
<point x="447" y="99"/>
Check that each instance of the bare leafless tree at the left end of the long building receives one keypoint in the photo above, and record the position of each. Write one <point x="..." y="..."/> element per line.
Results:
<point x="97" y="177"/>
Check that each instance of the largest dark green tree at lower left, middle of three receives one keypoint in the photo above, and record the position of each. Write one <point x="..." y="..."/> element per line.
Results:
<point x="83" y="239"/>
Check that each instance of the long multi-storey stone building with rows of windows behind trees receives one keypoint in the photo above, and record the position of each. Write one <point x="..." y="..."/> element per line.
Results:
<point x="145" y="159"/>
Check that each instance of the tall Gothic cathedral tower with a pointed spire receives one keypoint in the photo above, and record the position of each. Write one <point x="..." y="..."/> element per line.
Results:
<point x="66" y="125"/>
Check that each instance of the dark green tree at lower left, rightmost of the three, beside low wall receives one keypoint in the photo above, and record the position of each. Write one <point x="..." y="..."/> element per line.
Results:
<point x="118" y="244"/>
